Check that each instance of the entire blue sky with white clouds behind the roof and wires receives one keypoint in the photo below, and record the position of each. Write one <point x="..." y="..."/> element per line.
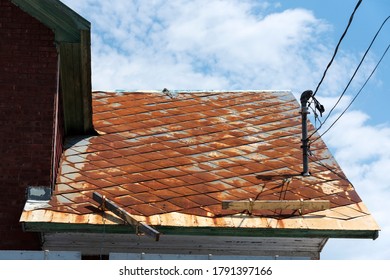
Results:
<point x="255" y="44"/>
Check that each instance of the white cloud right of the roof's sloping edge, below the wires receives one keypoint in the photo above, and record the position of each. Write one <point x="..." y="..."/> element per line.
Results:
<point x="363" y="151"/>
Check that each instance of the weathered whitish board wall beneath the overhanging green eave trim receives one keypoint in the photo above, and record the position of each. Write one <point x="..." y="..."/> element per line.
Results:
<point x="130" y="246"/>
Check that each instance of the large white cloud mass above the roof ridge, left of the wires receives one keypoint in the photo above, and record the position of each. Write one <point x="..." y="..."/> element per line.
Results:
<point x="213" y="44"/>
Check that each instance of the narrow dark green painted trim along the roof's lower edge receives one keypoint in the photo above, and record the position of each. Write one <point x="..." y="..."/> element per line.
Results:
<point x="204" y="231"/>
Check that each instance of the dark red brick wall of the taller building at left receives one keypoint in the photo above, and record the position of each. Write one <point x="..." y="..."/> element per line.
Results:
<point x="28" y="87"/>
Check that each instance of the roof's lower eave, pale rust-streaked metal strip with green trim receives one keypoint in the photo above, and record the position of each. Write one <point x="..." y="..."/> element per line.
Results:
<point x="330" y="223"/>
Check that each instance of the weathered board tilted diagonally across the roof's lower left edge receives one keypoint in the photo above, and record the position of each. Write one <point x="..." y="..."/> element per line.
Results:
<point x="123" y="214"/>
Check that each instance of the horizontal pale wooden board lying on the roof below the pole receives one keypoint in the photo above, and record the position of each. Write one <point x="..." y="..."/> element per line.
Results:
<point x="250" y="205"/>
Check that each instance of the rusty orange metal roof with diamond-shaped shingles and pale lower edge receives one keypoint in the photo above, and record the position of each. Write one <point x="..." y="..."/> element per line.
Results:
<point x="172" y="160"/>
